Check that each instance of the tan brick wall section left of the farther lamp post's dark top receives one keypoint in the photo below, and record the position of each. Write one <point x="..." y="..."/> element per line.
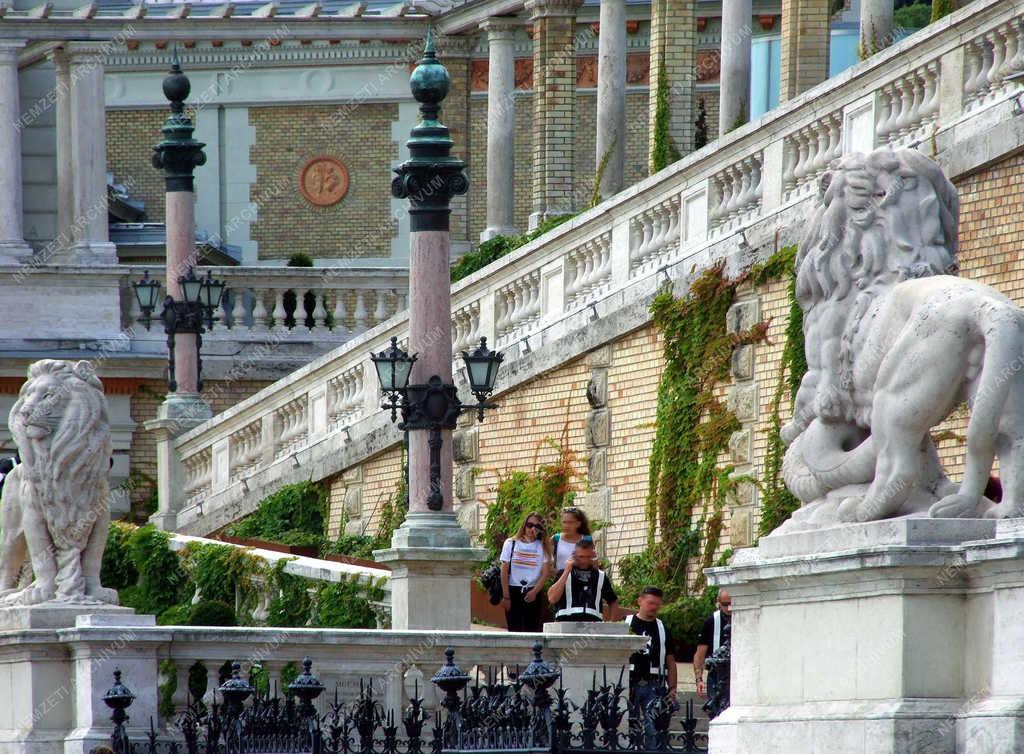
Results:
<point x="131" y="138"/>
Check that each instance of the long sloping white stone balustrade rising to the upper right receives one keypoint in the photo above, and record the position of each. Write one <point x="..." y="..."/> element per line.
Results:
<point x="935" y="90"/>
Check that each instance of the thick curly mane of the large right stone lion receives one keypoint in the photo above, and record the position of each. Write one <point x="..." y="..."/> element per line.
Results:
<point x="857" y="240"/>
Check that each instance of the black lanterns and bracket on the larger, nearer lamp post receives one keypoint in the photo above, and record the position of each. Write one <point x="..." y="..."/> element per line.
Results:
<point x="435" y="406"/>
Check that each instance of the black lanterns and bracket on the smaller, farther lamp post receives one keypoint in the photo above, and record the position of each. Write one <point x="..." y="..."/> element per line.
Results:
<point x="202" y="299"/>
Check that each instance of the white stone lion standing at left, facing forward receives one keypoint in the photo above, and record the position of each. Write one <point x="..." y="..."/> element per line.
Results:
<point x="56" y="504"/>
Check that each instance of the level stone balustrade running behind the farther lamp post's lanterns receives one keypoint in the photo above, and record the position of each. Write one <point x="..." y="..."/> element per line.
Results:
<point x="293" y="303"/>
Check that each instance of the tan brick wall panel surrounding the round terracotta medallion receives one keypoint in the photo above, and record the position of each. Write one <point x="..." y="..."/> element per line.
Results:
<point x="359" y="136"/>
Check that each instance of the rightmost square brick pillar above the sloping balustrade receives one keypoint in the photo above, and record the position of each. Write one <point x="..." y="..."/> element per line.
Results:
<point x="805" y="47"/>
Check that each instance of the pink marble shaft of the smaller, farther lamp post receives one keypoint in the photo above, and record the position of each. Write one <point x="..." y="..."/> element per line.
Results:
<point x="181" y="257"/>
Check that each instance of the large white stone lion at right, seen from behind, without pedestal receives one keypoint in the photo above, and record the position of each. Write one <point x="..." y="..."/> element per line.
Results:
<point x="895" y="342"/>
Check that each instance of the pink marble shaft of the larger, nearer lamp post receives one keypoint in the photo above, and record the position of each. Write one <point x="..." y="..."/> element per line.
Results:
<point x="431" y="339"/>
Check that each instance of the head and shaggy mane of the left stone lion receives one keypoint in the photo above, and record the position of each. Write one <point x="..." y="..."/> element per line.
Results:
<point x="65" y="472"/>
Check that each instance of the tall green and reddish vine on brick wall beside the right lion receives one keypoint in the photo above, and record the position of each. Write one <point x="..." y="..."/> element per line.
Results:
<point x="689" y="489"/>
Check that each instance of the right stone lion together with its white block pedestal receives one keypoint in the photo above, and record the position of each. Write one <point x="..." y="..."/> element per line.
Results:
<point x="884" y="616"/>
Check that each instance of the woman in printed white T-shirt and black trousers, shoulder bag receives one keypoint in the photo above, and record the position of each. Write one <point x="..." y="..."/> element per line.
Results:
<point x="526" y="565"/>
